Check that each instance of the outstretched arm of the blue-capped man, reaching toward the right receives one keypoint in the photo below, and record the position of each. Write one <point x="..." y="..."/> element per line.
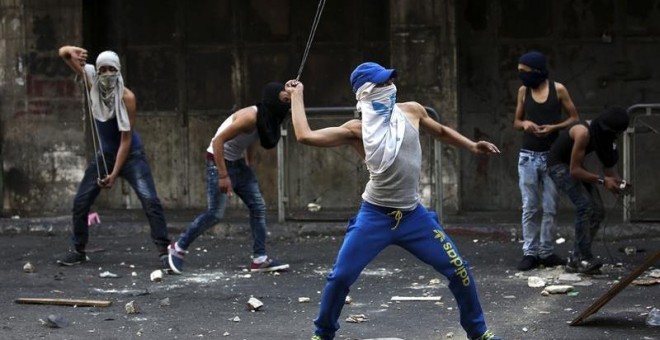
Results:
<point x="446" y="134"/>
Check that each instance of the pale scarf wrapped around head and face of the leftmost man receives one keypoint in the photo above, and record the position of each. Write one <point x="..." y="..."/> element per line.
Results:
<point x="107" y="93"/>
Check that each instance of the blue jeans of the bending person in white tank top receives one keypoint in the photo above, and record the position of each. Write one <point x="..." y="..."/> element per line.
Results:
<point x="245" y="185"/>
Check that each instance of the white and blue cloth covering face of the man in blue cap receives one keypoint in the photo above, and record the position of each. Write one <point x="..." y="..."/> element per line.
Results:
<point x="383" y="125"/>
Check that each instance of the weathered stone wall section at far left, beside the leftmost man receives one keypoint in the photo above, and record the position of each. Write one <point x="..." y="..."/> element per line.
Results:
<point x="42" y="154"/>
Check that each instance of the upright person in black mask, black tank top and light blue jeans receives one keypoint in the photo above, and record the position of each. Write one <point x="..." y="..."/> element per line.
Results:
<point x="539" y="115"/>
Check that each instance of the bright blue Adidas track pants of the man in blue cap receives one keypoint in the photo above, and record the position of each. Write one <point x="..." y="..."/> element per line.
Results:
<point x="418" y="232"/>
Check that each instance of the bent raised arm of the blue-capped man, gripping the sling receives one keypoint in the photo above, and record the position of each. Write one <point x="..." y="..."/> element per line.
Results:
<point x="349" y="133"/>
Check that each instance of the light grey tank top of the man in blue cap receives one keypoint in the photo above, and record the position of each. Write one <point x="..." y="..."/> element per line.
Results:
<point x="398" y="186"/>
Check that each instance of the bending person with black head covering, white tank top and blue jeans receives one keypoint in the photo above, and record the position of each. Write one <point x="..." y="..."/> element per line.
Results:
<point x="228" y="170"/>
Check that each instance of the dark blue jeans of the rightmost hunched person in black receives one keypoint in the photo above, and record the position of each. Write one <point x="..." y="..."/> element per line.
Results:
<point x="589" y="210"/>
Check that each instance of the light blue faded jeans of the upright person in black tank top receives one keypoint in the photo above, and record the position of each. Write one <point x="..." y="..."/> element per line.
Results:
<point x="537" y="189"/>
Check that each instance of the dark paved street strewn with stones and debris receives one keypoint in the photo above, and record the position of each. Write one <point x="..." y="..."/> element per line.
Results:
<point x="209" y="301"/>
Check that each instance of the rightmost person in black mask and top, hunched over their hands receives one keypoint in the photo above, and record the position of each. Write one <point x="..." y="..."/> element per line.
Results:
<point x="568" y="173"/>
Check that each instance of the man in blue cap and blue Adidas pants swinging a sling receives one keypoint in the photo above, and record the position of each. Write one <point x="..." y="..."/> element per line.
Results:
<point x="387" y="138"/>
